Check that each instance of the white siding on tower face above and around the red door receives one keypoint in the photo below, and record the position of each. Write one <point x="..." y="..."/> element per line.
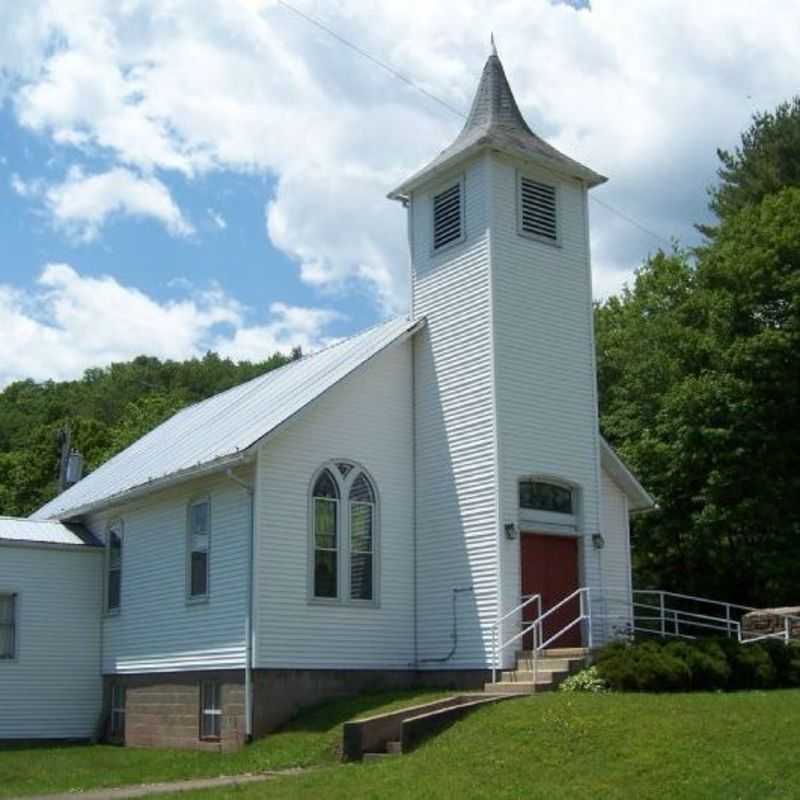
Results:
<point x="546" y="400"/>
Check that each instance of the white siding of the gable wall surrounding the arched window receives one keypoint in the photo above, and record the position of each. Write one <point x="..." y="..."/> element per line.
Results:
<point x="366" y="420"/>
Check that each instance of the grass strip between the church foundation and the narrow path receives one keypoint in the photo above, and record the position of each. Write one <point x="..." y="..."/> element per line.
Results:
<point x="313" y="739"/>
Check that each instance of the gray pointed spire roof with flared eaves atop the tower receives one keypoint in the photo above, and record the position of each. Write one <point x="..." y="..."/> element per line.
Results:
<point x="496" y="122"/>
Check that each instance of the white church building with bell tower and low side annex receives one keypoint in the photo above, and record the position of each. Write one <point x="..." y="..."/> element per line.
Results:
<point x="371" y="515"/>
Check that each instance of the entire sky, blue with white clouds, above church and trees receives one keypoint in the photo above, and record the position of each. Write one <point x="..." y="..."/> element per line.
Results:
<point x="179" y="176"/>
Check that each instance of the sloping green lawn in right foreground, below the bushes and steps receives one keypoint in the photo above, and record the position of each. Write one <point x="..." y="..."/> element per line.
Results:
<point x="731" y="746"/>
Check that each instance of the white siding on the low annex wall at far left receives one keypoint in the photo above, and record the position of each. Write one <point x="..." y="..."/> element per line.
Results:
<point x="52" y="687"/>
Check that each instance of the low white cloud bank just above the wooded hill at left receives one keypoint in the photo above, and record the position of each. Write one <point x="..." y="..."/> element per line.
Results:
<point x="69" y="322"/>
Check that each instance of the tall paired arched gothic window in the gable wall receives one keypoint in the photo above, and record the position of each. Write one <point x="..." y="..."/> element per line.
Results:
<point x="344" y="519"/>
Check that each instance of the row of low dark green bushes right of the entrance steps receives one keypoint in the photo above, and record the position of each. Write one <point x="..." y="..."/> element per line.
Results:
<point x="699" y="665"/>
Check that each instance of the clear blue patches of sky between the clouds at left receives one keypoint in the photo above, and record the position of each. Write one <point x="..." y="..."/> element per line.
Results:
<point x="229" y="247"/>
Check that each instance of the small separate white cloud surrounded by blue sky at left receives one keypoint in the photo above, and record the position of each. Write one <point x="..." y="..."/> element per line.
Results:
<point x="83" y="203"/>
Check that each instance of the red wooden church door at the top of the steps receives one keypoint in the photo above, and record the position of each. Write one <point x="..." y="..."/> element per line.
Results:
<point x="550" y="568"/>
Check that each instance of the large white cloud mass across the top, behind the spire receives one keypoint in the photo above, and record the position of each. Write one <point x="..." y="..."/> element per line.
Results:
<point x="643" y="92"/>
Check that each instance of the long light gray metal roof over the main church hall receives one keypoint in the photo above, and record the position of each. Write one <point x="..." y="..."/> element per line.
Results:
<point x="218" y="432"/>
